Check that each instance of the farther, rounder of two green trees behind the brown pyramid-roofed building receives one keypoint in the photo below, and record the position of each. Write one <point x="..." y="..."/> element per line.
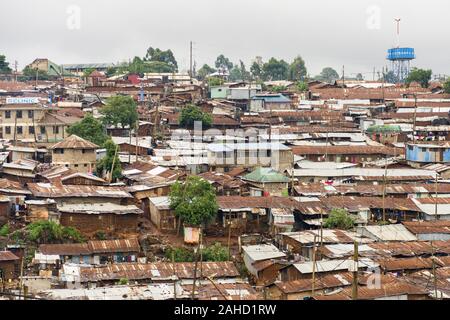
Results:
<point x="120" y="110"/>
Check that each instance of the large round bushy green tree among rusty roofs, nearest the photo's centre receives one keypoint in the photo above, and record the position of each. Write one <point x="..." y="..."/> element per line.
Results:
<point x="194" y="201"/>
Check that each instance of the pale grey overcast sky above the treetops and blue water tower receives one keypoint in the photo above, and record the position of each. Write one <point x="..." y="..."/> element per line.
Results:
<point x="354" y="33"/>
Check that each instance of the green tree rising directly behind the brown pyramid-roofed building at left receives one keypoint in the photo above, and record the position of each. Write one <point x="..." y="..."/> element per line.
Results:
<point x="90" y="129"/>
